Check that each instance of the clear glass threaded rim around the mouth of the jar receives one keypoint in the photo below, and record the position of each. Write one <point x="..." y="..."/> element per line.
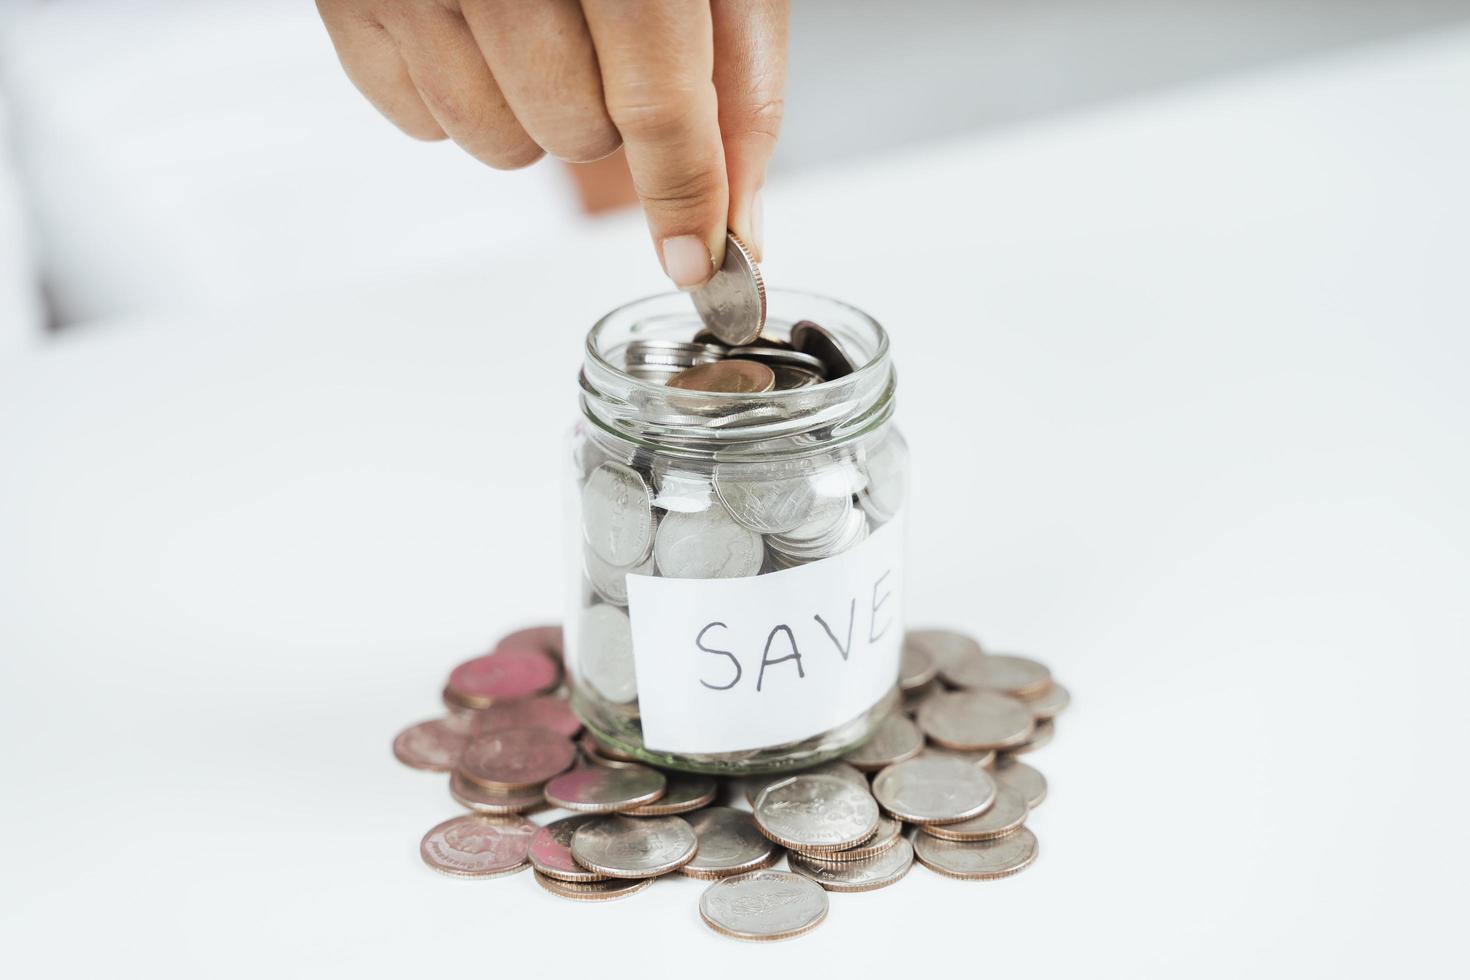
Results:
<point x="792" y="422"/>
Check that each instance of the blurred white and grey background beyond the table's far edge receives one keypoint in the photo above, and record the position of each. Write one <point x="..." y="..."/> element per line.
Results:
<point x="170" y="155"/>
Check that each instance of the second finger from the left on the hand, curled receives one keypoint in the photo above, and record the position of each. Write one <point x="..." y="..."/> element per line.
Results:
<point x="455" y="83"/>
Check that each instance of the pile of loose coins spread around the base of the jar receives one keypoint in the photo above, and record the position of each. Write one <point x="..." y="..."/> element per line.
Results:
<point x="940" y="782"/>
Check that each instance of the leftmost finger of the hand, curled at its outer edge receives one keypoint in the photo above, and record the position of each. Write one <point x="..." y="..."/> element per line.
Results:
<point x="374" y="65"/>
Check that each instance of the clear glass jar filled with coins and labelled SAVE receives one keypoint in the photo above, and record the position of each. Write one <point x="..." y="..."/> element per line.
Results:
<point x="734" y="561"/>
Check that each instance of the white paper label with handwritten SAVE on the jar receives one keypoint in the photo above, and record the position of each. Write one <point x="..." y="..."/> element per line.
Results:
<point x="733" y="665"/>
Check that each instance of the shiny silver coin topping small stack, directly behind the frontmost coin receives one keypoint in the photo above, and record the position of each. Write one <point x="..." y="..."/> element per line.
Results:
<point x="817" y="813"/>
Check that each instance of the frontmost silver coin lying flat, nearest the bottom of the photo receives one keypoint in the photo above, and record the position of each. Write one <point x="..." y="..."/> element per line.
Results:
<point x="764" y="906"/>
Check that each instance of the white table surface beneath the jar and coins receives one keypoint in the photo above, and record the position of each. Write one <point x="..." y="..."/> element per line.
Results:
<point x="1186" y="383"/>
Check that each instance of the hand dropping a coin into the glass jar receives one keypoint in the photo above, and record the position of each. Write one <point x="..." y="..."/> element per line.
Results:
<point x="692" y="87"/>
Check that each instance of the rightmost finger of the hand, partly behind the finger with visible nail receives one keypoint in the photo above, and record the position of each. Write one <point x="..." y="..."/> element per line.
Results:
<point x="750" y="83"/>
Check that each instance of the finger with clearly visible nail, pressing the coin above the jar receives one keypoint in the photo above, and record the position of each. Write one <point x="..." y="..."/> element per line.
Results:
<point x="656" y="62"/>
